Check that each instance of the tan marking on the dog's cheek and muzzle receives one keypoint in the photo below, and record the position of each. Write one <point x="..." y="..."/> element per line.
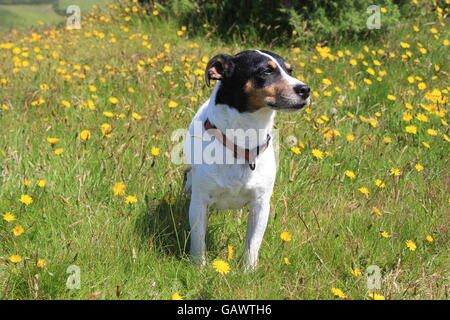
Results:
<point x="258" y="97"/>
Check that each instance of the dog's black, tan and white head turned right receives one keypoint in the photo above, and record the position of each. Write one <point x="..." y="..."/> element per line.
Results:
<point x="255" y="79"/>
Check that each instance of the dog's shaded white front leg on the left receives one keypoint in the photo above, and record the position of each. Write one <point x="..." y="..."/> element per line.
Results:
<point x="198" y="221"/>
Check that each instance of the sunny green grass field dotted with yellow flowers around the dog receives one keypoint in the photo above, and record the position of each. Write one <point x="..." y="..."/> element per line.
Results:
<point x="365" y="182"/>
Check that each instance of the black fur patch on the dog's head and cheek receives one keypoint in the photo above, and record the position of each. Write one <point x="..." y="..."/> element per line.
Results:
<point x="248" y="66"/>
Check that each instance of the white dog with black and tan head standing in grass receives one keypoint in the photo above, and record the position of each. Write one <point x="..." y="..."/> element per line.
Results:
<point x="236" y="123"/>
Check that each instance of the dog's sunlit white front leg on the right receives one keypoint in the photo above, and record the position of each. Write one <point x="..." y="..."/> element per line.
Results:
<point x="256" y="226"/>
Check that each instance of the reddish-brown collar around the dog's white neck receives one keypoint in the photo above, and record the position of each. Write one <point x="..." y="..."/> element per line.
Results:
<point x="238" y="152"/>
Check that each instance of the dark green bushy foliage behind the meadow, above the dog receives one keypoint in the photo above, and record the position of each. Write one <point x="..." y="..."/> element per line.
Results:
<point x="275" y="21"/>
